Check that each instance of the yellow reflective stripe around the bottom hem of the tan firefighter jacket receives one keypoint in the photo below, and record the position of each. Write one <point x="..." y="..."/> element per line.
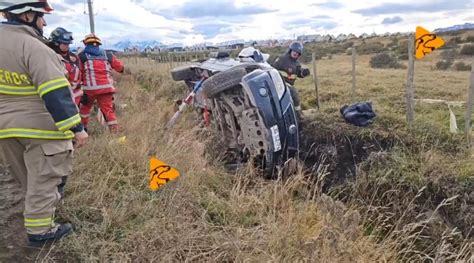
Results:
<point x="35" y="134"/>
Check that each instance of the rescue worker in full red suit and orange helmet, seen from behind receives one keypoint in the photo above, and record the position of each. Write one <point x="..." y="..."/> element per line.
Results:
<point x="98" y="84"/>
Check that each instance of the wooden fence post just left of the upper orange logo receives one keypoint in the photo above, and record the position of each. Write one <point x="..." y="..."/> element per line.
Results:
<point x="409" y="85"/>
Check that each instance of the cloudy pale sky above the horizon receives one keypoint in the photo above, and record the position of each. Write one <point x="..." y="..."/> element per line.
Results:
<point x="197" y="21"/>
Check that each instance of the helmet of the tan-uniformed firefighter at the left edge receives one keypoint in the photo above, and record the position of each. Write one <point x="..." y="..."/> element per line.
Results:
<point x="22" y="6"/>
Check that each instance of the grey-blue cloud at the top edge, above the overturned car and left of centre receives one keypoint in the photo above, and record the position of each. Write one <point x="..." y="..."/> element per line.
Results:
<point x="218" y="9"/>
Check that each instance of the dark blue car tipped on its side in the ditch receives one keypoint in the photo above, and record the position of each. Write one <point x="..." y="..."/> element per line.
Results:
<point x="252" y="109"/>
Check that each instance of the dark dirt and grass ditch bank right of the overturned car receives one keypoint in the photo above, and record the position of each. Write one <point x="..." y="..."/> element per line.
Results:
<point x="433" y="206"/>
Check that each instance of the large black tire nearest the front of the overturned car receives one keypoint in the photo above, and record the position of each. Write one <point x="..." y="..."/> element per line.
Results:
<point x="223" y="81"/>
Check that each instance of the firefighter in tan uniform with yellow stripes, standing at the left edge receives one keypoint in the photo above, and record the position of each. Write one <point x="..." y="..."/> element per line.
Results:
<point x="38" y="117"/>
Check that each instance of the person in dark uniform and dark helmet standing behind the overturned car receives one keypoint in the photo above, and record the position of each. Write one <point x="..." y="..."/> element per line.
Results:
<point x="290" y="68"/>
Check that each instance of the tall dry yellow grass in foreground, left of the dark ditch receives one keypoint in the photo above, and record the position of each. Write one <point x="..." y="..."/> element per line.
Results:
<point x="205" y="215"/>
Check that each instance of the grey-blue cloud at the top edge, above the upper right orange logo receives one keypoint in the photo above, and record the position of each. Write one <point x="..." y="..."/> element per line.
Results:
<point x="395" y="8"/>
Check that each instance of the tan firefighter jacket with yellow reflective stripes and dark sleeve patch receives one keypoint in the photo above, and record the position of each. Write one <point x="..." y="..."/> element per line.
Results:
<point x="35" y="99"/>
